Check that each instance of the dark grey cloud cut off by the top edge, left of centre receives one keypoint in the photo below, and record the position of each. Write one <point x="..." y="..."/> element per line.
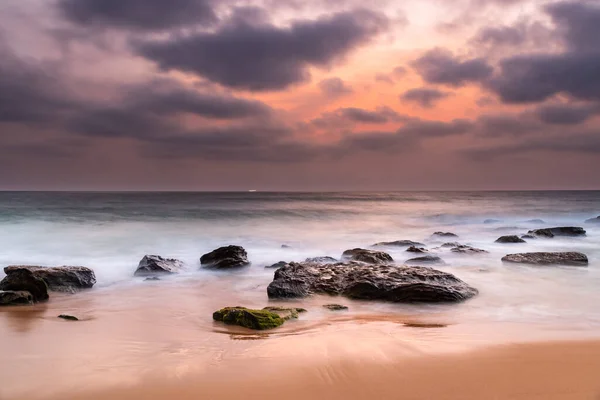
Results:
<point x="138" y="14"/>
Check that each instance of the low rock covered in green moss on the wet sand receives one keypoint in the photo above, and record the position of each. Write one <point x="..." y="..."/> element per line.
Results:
<point x="255" y="319"/>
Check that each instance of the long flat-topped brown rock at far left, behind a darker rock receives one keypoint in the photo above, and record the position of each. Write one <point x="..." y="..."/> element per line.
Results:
<point x="59" y="279"/>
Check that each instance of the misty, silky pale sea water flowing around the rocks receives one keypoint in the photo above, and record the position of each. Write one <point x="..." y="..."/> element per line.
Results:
<point x="111" y="232"/>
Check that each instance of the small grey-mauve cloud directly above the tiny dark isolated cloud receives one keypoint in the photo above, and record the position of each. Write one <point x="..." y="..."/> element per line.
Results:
<point x="442" y="67"/>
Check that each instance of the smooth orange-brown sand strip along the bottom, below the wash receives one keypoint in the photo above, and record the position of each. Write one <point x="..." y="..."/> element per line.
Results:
<point x="544" y="370"/>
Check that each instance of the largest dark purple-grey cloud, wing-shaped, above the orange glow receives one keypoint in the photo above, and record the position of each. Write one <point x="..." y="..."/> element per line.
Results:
<point x="265" y="57"/>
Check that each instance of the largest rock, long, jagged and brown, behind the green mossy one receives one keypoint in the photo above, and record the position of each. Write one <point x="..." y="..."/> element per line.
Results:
<point x="370" y="282"/>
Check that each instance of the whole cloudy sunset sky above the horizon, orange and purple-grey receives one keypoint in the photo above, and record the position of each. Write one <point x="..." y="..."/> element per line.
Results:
<point x="308" y="95"/>
